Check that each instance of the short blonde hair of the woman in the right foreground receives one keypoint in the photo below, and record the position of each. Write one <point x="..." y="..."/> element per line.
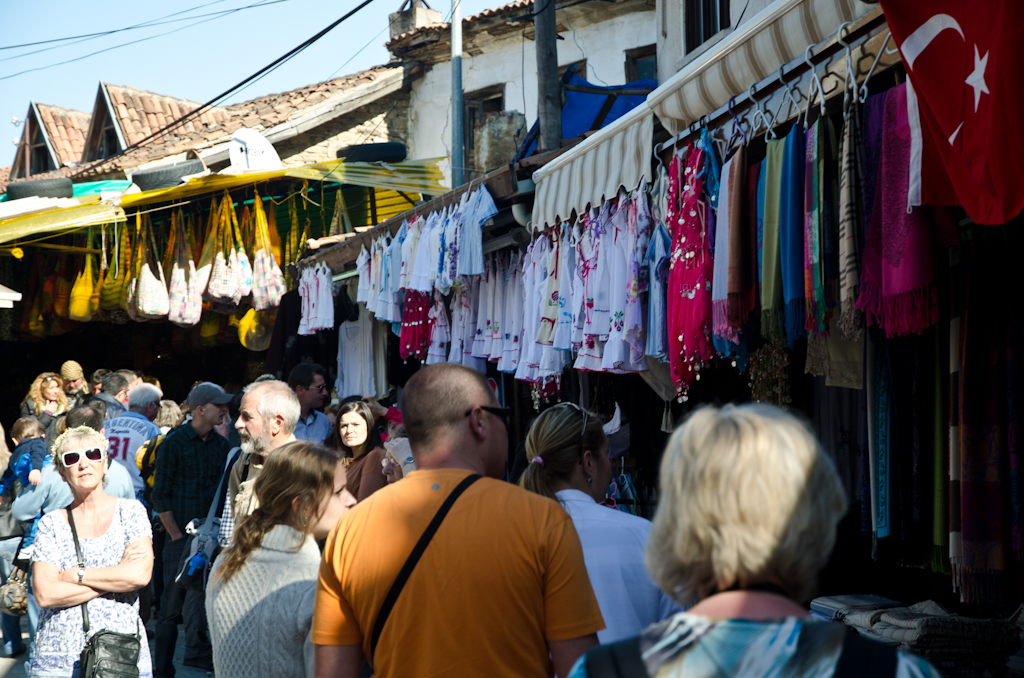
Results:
<point x="747" y="497"/>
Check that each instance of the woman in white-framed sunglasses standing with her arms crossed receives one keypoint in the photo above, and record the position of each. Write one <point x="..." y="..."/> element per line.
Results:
<point x="116" y="538"/>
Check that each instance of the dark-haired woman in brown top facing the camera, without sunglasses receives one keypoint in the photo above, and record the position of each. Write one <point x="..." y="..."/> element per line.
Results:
<point x="357" y="438"/>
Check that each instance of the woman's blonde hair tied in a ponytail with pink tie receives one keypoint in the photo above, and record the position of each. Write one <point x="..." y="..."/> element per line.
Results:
<point x="558" y="439"/>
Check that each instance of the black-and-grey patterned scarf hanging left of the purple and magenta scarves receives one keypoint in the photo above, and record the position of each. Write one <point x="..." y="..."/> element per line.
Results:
<point x="851" y="320"/>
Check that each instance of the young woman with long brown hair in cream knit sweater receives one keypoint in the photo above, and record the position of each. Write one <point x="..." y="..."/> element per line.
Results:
<point x="260" y="603"/>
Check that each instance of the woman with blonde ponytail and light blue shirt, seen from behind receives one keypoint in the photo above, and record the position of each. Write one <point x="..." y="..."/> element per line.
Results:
<point x="569" y="462"/>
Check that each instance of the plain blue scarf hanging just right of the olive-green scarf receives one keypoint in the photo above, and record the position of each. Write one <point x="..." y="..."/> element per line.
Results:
<point x="792" y="235"/>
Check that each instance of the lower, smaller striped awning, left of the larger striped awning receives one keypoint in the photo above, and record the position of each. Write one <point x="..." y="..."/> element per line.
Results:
<point x="616" y="157"/>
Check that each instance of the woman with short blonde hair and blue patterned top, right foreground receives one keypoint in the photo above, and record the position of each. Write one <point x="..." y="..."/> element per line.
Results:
<point x="747" y="519"/>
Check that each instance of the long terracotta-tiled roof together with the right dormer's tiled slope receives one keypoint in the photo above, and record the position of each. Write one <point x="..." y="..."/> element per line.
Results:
<point x="216" y="125"/>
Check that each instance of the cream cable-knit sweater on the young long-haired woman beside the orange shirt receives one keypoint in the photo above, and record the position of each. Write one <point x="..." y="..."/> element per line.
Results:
<point x="260" y="619"/>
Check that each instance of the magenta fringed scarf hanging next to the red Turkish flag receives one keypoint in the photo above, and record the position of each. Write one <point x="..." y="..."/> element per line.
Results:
<point x="898" y="289"/>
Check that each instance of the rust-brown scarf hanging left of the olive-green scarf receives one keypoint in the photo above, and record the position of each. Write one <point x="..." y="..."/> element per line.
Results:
<point x="741" y="301"/>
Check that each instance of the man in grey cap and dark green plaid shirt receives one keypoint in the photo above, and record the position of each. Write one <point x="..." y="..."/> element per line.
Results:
<point x="187" y="475"/>
